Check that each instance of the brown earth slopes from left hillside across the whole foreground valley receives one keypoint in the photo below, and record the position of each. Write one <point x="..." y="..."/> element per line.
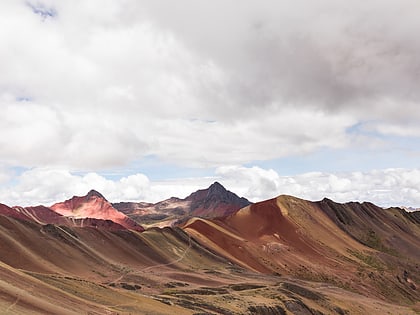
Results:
<point x="48" y="269"/>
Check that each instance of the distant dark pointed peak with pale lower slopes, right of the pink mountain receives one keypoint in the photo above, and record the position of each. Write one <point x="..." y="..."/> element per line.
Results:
<point x="214" y="201"/>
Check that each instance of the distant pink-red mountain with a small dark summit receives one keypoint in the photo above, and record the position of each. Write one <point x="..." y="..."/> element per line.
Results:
<point x="95" y="206"/>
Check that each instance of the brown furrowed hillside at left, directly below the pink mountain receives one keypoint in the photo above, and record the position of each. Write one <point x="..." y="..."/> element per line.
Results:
<point x="95" y="253"/>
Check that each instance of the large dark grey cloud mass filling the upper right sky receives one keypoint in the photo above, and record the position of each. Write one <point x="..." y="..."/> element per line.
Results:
<point x="328" y="53"/>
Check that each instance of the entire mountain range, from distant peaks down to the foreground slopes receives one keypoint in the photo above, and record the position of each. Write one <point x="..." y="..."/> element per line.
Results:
<point x="212" y="252"/>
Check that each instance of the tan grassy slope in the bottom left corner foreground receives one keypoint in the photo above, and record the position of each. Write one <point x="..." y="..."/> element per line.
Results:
<point x="30" y="293"/>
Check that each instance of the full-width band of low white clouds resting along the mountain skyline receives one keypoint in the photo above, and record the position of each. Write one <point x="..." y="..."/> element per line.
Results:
<point x="388" y="187"/>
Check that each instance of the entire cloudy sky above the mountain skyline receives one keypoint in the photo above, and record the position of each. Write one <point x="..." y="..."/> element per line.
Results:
<point x="147" y="99"/>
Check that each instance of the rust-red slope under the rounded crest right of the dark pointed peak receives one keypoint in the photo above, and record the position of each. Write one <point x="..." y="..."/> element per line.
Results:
<point x="262" y="237"/>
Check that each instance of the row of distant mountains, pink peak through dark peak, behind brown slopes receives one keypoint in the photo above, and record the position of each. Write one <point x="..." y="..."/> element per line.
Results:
<point x="215" y="201"/>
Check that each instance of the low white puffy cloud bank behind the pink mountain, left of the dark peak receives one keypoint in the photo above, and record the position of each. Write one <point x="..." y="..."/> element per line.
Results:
<point x="49" y="185"/>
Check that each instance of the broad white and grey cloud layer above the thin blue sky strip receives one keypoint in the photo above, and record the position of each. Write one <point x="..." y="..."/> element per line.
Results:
<point x="137" y="78"/>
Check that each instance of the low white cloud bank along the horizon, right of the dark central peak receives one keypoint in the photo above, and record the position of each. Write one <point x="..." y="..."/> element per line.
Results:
<point x="388" y="187"/>
